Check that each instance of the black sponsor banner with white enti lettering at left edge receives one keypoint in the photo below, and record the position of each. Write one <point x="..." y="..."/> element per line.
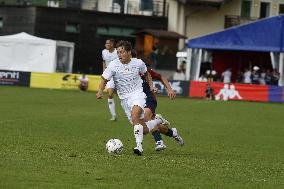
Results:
<point x="15" y="78"/>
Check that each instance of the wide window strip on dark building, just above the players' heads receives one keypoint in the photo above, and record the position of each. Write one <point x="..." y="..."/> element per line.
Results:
<point x="115" y="31"/>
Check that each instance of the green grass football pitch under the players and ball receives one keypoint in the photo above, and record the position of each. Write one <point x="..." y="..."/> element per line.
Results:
<point x="56" y="139"/>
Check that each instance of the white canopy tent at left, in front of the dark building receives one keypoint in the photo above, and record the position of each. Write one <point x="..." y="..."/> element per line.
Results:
<point x="24" y="52"/>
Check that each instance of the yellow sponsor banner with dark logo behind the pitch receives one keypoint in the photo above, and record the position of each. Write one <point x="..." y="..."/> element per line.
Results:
<point x="62" y="81"/>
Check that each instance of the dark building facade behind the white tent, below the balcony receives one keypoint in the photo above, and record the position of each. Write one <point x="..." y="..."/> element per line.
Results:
<point x="88" y="29"/>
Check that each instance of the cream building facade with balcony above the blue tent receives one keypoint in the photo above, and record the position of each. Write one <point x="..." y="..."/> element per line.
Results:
<point x="197" y="18"/>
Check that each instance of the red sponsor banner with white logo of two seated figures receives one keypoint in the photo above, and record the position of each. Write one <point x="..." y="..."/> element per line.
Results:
<point x="233" y="91"/>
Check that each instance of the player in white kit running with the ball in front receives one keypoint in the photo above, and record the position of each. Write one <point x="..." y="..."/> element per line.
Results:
<point x="126" y="75"/>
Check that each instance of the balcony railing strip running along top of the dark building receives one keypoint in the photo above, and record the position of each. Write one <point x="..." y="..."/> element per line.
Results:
<point x="136" y="7"/>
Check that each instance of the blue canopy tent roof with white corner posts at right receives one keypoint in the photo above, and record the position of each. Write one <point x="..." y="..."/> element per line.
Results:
<point x="265" y="35"/>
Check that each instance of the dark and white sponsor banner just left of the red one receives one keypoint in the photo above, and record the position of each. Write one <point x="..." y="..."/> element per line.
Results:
<point x="180" y="87"/>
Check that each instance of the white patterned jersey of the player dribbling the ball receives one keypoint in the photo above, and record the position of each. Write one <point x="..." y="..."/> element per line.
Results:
<point x="126" y="77"/>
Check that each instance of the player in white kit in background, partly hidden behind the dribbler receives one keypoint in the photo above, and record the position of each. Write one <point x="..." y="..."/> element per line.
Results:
<point x="109" y="54"/>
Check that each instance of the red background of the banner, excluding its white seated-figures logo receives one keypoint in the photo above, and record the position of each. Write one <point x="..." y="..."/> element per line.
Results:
<point x="247" y="92"/>
